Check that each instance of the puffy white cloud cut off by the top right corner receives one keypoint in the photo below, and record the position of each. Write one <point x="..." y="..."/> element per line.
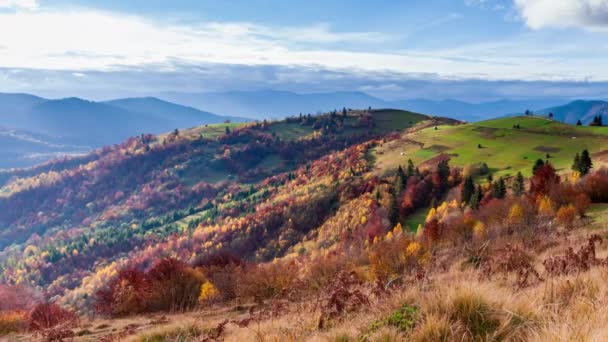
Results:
<point x="588" y="14"/>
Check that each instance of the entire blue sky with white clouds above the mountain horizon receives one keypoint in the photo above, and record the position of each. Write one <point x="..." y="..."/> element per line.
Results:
<point x="467" y="49"/>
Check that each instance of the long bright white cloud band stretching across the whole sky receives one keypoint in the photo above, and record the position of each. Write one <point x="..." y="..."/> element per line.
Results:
<point x="88" y="40"/>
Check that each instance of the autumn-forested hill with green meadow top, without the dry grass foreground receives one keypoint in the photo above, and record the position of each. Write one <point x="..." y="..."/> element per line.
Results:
<point x="320" y="190"/>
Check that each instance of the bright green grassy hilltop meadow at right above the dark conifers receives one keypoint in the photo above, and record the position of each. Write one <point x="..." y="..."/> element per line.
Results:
<point x="505" y="148"/>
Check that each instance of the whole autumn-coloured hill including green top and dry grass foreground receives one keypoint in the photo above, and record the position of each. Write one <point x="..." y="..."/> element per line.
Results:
<point x="369" y="214"/>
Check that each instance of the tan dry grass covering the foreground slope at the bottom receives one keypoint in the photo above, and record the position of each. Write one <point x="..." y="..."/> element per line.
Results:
<point x="456" y="304"/>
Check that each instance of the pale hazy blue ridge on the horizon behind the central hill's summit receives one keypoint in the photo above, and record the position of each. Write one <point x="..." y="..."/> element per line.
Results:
<point x="270" y="103"/>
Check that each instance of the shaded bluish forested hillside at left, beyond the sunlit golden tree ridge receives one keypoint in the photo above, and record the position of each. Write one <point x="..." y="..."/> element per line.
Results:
<point x="150" y="188"/>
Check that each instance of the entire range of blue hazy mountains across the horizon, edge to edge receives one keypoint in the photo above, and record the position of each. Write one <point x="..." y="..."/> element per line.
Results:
<point x="35" y="129"/>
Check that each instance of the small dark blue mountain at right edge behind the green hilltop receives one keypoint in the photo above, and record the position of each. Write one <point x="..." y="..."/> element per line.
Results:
<point x="577" y="110"/>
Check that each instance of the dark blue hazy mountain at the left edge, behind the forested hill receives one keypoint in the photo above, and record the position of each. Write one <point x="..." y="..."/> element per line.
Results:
<point x="73" y="122"/>
